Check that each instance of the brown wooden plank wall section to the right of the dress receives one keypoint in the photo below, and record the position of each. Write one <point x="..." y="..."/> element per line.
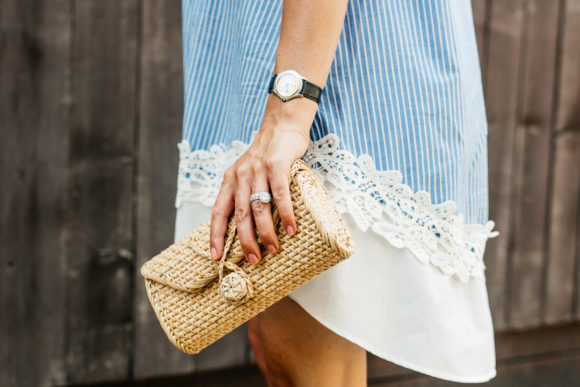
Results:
<point x="530" y="58"/>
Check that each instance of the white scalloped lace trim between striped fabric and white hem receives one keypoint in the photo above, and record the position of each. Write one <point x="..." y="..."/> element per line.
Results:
<point x="375" y="199"/>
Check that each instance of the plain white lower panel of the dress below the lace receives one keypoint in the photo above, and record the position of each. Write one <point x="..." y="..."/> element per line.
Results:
<point x="394" y="306"/>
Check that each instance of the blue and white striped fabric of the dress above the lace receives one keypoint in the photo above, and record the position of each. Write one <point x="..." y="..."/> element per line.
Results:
<point x="404" y="88"/>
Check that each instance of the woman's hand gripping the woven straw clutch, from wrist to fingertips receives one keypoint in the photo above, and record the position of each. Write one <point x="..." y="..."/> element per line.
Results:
<point x="264" y="167"/>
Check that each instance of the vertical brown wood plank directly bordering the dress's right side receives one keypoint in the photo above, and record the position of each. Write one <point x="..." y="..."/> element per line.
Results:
<point x="506" y="19"/>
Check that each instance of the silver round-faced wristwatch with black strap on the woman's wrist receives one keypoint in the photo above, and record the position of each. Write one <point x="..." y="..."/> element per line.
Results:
<point x="289" y="84"/>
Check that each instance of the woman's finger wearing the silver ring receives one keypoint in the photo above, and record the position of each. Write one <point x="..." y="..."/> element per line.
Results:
<point x="263" y="214"/>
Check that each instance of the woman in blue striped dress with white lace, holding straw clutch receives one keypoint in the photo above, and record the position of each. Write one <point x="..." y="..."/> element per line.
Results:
<point x="394" y="125"/>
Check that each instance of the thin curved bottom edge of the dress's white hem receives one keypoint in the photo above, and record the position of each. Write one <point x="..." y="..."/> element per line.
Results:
<point x="394" y="359"/>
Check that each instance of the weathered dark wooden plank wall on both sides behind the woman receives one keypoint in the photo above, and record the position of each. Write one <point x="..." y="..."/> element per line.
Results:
<point x="90" y="116"/>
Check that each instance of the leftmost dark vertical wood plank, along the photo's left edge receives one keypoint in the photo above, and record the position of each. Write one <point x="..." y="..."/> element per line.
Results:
<point x="34" y="110"/>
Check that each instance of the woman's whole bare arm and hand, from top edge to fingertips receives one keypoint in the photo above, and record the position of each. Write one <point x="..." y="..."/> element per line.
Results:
<point x="284" y="133"/>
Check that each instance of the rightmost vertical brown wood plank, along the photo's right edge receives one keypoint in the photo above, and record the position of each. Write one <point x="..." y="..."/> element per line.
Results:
<point x="564" y="213"/>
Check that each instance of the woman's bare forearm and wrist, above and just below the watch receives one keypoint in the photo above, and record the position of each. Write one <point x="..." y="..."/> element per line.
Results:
<point x="309" y="36"/>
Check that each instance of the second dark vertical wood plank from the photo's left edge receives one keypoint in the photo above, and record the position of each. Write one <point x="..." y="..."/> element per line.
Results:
<point x="100" y="329"/>
